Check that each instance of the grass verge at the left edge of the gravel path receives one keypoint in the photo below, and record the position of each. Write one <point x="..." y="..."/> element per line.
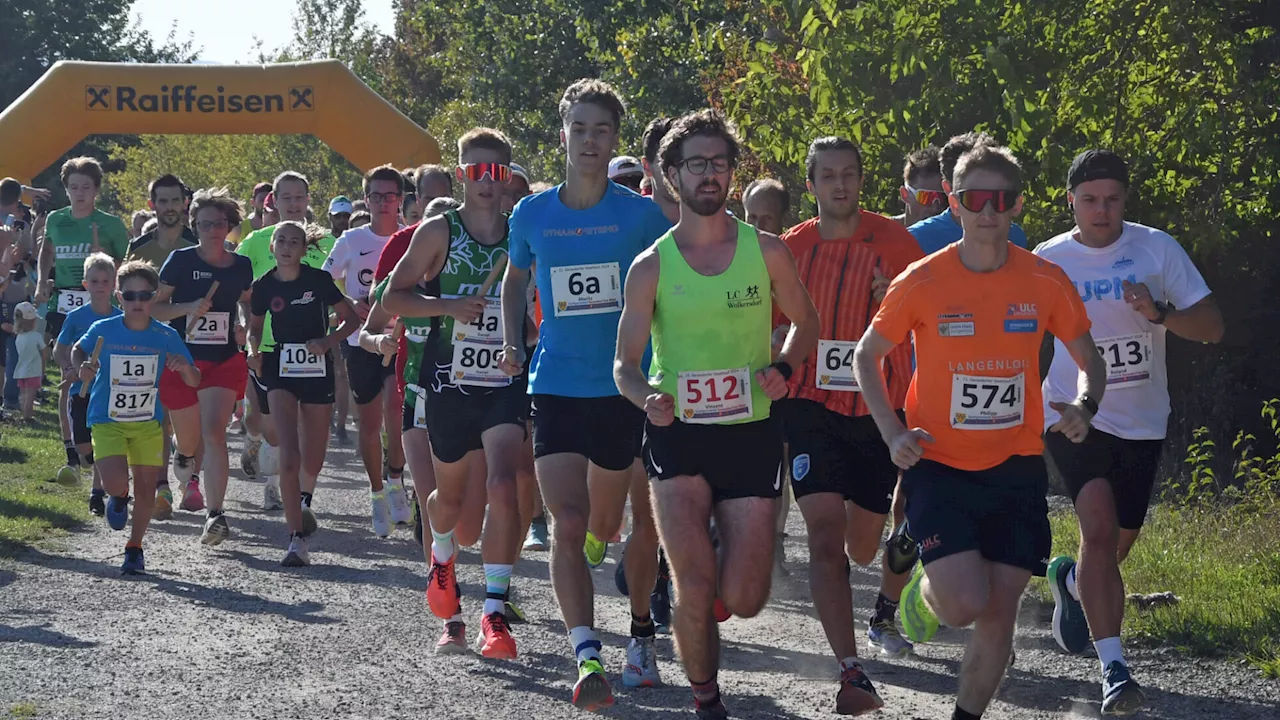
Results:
<point x="33" y="507"/>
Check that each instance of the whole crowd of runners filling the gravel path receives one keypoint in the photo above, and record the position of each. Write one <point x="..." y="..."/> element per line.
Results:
<point x="557" y="352"/>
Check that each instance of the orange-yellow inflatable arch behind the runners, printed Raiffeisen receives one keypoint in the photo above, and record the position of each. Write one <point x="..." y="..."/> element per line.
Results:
<point x="322" y="98"/>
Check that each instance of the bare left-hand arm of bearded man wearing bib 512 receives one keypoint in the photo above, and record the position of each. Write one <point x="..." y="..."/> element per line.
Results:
<point x="641" y="294"/>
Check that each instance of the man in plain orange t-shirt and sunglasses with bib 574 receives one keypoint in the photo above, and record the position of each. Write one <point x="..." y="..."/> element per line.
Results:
<point x="975" y="475"/>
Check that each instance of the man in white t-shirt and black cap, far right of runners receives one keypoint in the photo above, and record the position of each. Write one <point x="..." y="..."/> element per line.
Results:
<point x="1137" y="285"/>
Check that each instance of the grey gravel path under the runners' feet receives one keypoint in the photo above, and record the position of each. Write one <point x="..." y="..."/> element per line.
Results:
<point x="228" y="634"/>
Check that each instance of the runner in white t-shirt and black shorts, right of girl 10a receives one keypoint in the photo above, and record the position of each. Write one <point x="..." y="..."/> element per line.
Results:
<point x="373" y="384"/>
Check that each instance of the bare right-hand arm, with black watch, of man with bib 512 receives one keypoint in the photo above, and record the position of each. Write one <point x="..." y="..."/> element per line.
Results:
<point x="794" y="300"/>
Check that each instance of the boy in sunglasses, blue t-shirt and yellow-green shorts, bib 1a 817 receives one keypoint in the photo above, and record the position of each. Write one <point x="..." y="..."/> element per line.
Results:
<point x="125" y="402"/>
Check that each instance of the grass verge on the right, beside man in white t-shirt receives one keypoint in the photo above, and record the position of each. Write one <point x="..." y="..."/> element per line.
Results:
<point x="1222" y="562"/>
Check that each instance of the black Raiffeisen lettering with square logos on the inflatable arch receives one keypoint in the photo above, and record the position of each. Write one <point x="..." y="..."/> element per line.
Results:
<point x="193" y="99"/>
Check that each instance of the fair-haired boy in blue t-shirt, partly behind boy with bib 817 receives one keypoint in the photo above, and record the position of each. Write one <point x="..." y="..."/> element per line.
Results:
<point x="100" y="284"/>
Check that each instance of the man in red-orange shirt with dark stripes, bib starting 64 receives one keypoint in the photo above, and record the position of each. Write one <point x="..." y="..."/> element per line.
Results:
<point x="842" y="472"/>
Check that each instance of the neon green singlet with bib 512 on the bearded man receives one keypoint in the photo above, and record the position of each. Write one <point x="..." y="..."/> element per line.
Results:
<point x="712" y="323"/>
